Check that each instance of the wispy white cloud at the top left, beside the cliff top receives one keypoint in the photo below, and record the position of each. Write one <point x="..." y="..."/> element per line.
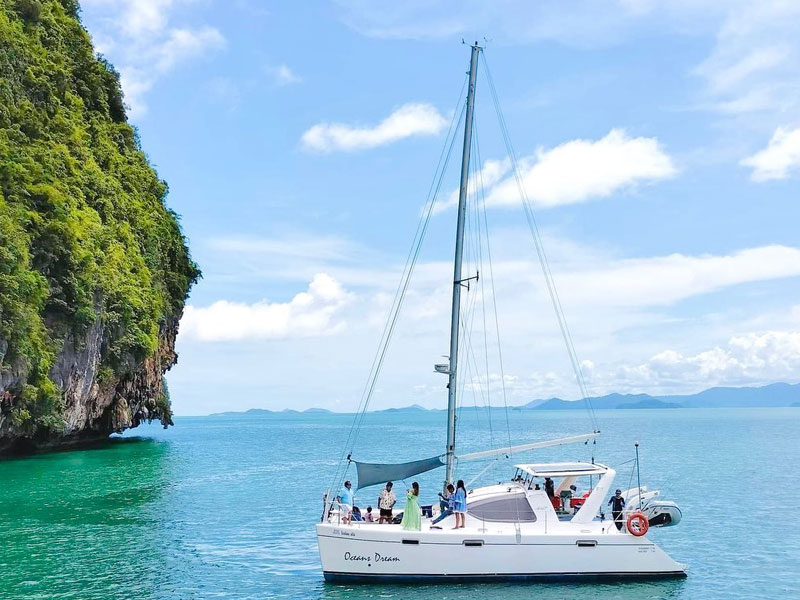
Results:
<point x="135" y="36"/>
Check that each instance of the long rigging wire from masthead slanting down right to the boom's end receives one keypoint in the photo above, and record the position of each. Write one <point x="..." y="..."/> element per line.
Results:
<point x="543" y="261"/>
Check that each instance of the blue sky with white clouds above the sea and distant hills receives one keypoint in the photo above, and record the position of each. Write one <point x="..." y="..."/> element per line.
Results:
<point x="659" y="143"/>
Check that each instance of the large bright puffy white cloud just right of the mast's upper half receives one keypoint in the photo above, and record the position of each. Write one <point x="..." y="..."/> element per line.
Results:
<point x="580" y="170"/>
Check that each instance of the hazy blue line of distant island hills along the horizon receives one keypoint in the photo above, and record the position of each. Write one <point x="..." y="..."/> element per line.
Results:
<point x="768" y="396"/>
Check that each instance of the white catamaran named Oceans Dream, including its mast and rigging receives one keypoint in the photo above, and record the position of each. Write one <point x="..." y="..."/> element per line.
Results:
<point x="518" y="530"/>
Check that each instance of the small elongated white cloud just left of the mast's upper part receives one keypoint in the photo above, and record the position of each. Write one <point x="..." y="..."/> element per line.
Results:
<point x="409" y="120"/>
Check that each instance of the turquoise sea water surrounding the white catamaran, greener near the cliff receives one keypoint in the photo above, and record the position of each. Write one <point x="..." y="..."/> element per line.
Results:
<point x="225" y="507"/>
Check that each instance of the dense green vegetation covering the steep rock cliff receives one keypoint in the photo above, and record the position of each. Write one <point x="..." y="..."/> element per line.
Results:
<point x="84" y="231"/>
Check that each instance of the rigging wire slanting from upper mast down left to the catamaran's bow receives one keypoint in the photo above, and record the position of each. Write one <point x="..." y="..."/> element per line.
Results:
<point x="411" y="260"/>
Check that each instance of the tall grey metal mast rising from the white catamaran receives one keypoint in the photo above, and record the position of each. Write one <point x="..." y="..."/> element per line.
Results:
<point x="457" y="281"/>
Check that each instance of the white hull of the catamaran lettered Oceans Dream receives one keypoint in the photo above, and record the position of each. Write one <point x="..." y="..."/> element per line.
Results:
<point x="375" y="553"/>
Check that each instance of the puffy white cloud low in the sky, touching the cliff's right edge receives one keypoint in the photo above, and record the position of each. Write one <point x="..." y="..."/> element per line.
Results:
<point x="313" y="312"/>
